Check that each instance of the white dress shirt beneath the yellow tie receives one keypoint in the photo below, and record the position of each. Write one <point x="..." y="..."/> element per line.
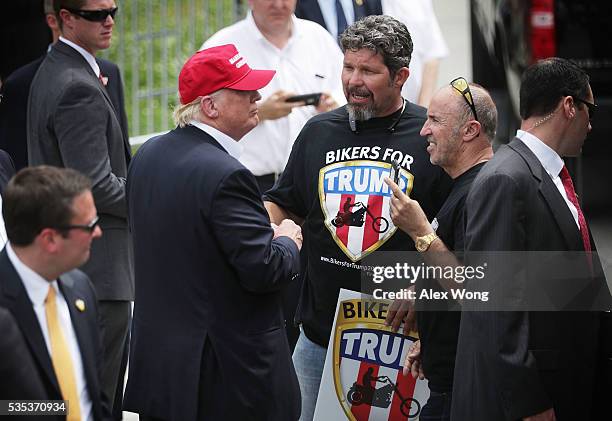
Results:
<point x="37" y="289"/>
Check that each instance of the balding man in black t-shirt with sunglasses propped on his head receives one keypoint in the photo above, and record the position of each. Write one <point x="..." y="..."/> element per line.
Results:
<point x="460" y="126"/>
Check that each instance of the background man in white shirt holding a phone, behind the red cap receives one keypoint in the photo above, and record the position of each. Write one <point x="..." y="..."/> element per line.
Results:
<point x="307" y="60"/>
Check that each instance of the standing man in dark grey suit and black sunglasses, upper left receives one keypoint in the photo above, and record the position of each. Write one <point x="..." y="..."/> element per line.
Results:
<point x="73" y="123"/>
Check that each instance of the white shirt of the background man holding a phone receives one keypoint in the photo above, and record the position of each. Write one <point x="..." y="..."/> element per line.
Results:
<point x="310" y="62"/>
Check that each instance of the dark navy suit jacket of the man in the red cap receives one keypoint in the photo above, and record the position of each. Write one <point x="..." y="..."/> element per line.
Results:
<point x="208" y="337"/>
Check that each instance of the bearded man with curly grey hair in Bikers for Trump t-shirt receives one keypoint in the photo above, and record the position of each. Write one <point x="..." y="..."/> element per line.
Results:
<point x="343" y="157"/>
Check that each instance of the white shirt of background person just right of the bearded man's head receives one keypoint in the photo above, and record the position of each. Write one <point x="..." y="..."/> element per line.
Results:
<point x="427" y="39"/>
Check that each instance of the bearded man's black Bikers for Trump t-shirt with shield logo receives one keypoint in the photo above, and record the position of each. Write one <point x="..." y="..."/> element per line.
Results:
<point x="332" y="170"/>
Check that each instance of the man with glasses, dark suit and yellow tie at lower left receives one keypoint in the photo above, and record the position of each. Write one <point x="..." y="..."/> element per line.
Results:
<point x="50" y="222"/>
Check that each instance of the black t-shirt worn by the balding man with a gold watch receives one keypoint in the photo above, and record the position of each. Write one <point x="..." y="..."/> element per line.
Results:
<point x="439" y="330"/>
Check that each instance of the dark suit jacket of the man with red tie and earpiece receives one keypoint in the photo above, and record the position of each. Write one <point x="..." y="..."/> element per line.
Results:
<point x="513" y="364"/>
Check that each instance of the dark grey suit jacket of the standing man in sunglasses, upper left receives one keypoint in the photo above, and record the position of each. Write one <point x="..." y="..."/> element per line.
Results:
<point x="73" y="123"/>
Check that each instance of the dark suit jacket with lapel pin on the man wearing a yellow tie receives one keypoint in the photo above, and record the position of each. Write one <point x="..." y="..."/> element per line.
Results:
<point x="73" y="285"/>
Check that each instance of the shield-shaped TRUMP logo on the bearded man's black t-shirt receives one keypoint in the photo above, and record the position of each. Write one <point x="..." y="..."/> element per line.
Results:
<point x="355" y="201"/>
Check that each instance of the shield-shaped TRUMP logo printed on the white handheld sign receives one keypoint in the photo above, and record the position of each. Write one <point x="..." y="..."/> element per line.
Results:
<point x="368" y="361"/>
